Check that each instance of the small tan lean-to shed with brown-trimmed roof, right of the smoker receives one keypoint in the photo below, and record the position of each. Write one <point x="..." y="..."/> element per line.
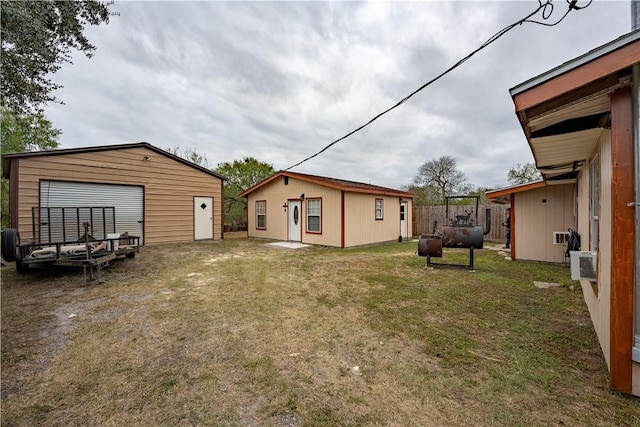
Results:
<point x="541" y="216"/>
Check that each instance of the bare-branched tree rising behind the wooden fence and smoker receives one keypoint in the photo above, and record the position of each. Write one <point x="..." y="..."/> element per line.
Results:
<point x="440" y="178"/>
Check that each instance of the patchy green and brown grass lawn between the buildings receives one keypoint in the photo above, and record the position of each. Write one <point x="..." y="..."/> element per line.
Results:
<point x="237" y="333"/>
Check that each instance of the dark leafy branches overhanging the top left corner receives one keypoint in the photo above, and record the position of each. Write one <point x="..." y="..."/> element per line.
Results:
<point x="37" y="37"/>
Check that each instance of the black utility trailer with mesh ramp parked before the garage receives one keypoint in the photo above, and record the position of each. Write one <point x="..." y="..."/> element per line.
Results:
<point x="70" y="236"/>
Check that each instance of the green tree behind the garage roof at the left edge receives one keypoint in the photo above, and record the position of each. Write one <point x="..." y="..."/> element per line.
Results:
<point x="30" y="132"/>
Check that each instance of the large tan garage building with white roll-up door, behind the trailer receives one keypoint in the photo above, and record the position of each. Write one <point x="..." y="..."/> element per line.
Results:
<point x="158" y="196"/>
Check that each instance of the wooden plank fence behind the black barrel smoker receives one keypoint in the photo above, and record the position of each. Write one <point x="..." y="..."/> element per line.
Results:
<point x="424" y="217"/>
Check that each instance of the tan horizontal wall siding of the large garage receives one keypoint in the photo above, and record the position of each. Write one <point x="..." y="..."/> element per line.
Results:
<point x="169" y="188"/>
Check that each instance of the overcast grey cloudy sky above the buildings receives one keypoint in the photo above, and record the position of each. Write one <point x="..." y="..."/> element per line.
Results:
<point x="280" y="80"/>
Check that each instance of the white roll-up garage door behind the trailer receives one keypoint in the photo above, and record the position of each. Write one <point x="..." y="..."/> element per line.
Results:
<point x="128" y="201"/>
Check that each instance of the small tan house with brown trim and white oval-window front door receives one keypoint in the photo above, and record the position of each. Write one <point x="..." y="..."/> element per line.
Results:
<point x="326" y="211"/>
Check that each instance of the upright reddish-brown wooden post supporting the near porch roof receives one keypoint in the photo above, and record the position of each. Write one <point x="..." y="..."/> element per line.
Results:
<point x="622" y="240"/>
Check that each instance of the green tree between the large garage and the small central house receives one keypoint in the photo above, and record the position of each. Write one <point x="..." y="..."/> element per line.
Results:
<point x="241" y="174"/>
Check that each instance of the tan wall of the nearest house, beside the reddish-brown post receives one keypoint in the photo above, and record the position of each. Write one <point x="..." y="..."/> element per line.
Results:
<point x="598" y="302"/>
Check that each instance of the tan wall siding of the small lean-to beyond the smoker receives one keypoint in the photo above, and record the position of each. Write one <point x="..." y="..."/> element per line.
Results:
<point x="537" y="220"/>
